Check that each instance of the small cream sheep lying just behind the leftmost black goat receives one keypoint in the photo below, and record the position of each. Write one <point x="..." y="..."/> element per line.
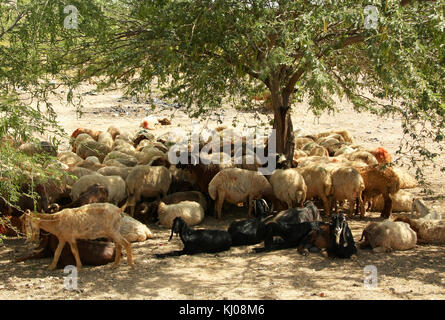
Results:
<point x="191" y="211"/>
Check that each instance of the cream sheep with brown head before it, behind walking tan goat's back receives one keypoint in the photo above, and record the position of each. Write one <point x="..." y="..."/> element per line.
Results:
<point x="114" y="184"/>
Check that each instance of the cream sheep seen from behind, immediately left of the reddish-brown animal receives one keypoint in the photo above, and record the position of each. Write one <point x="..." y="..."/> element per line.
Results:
<point x="347" y="183"/>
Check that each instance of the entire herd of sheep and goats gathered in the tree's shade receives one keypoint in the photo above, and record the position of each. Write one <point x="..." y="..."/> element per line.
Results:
<point x="115" y="184"/>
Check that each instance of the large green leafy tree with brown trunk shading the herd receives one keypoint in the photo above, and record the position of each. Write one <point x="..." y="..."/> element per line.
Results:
<point x="385" y="56"/>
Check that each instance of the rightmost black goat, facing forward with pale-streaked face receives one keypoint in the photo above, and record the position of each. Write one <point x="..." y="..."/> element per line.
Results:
<point x="336" y="238"/>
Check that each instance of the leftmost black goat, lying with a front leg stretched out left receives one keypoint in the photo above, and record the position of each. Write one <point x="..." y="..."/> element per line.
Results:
<point x="198" y="241"/>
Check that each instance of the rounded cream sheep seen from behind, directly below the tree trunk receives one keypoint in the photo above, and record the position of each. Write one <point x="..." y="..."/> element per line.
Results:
<point x="289" y="186"/>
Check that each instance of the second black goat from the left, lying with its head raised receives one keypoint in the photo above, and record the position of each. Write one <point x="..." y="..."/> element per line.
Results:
<point x="244" y="232"/>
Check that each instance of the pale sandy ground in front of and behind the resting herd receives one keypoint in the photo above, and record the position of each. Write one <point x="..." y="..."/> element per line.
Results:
<point x="239" y="273"/>
